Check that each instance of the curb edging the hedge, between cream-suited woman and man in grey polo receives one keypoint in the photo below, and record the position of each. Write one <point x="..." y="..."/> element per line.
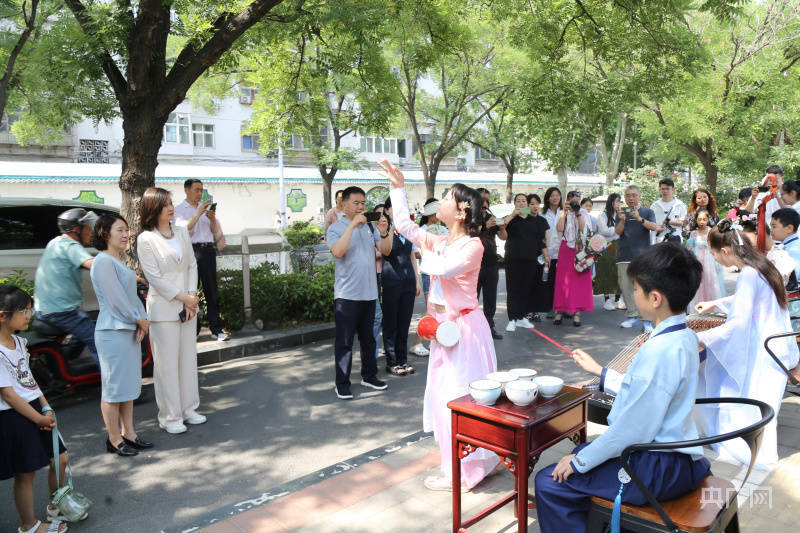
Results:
<point x="209" y="353"/>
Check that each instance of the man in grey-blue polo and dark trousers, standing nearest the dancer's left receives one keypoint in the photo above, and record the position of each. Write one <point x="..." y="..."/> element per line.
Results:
<point x="355" y="289"/>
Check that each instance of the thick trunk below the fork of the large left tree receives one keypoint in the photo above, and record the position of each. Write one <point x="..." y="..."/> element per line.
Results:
<point x="143" y="131"/>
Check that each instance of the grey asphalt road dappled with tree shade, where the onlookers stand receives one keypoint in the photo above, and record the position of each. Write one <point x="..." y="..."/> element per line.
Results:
<point x="272" y="419"/>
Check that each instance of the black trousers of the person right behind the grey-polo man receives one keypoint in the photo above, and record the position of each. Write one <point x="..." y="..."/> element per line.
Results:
<point x="398" y="307"/>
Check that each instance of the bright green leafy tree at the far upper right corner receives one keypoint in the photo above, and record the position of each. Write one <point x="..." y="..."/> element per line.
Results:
<point x="739" y="106"/>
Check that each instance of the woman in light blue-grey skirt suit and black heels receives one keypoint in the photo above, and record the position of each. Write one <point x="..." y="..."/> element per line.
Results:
<point x="121" y="326"/>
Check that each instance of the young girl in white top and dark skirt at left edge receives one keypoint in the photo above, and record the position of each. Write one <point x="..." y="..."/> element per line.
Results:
<point x="26" y="418"/>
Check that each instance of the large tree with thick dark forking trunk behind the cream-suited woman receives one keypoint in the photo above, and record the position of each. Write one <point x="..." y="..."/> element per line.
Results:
<point x="126" y="48"/>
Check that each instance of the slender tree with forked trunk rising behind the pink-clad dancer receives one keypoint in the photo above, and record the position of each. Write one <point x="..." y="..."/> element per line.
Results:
<point x="445" y="84"/>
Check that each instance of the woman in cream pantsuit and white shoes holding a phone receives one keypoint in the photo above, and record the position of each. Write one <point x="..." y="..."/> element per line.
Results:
<point x="167" y="259"/>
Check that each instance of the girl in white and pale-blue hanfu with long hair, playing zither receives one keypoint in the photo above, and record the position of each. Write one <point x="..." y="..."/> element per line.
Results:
<point x="737" y="364"/>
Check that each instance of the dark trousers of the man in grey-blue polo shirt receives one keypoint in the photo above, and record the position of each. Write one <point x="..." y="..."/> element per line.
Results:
<point x="354" y="316"/>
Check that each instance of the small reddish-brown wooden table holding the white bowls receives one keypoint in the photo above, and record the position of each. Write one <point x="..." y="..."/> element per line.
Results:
<point x="518" y="435"/>
